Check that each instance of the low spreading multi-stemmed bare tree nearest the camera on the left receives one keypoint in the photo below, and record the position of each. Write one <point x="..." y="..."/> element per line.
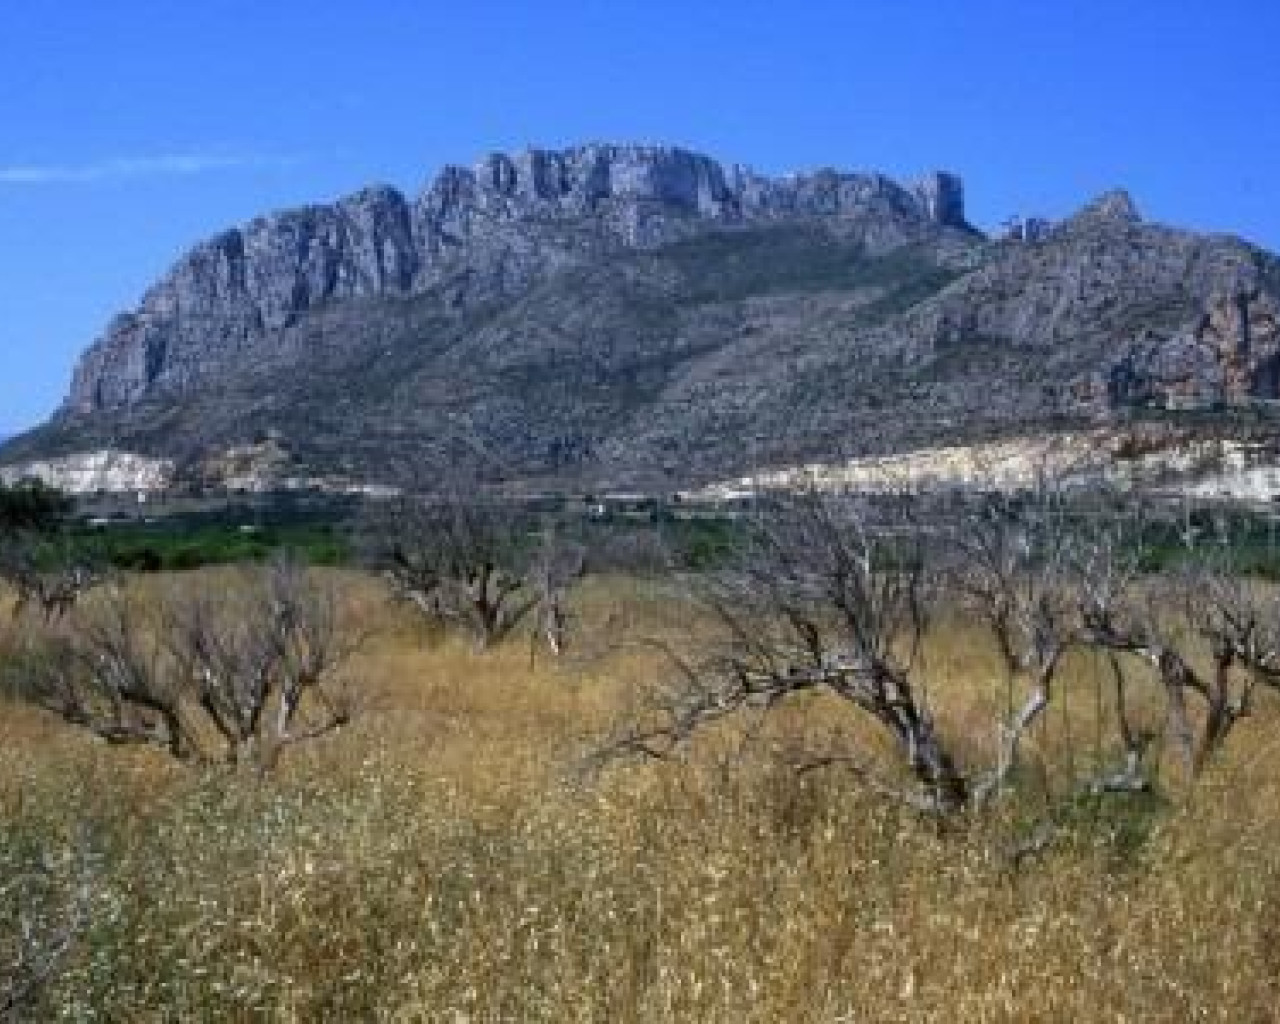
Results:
<point x="257" y="669"/>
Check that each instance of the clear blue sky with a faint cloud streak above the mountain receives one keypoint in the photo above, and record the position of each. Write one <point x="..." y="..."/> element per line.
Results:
<point x="131" y="130"/>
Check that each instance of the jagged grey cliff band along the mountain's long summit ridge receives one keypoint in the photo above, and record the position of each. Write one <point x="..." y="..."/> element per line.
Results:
<point x="478" y="234"/>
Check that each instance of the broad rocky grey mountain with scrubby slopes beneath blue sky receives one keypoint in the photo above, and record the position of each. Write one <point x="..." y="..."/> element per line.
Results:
<point x="646" y="317"/>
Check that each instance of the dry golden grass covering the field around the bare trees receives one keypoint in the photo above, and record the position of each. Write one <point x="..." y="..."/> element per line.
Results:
<point x="451" y="858"/>
